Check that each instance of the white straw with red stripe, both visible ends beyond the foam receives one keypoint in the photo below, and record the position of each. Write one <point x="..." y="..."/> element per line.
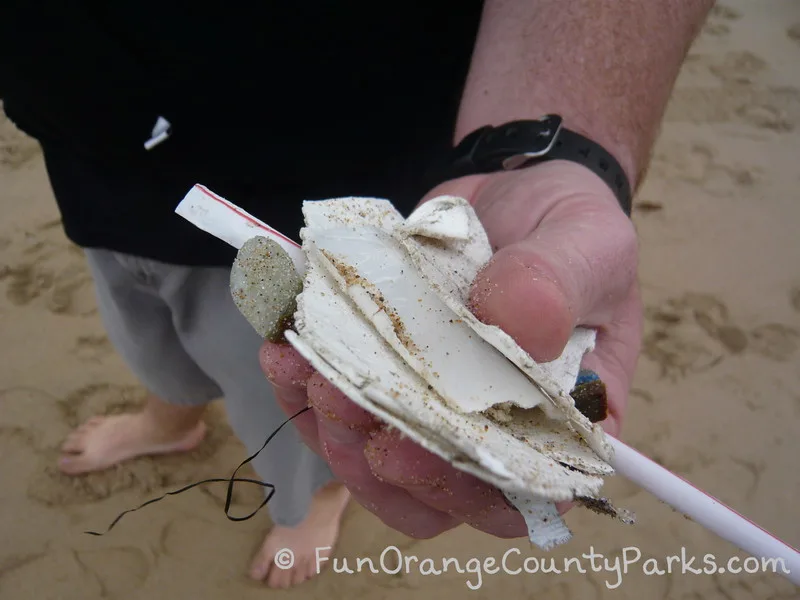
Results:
<point x="231" y="224"/>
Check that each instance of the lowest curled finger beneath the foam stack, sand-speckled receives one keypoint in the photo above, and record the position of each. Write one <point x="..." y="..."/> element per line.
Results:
<point x="433" y="481"/>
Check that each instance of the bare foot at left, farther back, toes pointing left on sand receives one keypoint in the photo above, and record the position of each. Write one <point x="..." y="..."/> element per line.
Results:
<point x="102" y="442"/>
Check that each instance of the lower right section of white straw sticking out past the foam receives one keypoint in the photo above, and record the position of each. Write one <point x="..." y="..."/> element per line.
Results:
<point x="704" y="509"/>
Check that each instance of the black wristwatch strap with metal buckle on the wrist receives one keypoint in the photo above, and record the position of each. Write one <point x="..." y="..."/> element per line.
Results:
<point x="520" y="144"/>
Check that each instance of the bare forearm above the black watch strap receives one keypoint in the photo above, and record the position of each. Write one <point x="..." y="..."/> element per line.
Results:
<point x="607" y="66"/>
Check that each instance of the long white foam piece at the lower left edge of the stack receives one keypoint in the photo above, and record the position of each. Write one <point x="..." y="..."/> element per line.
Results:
<point x="342" y="344"/>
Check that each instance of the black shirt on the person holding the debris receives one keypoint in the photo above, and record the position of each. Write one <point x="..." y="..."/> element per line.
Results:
<point x="270" y="103"/>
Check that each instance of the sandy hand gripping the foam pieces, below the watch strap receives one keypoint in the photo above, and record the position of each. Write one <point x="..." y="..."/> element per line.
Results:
<point x="565" y="255"/>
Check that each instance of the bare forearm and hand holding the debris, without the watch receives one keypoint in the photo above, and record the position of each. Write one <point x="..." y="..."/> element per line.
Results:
<point x="565" y="253"/>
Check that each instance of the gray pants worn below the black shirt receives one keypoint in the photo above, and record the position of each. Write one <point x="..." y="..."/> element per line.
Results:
<point x="183" y="337"/>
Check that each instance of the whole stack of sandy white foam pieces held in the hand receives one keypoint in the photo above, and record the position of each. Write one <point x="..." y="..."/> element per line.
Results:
<point x="383" y="316"/>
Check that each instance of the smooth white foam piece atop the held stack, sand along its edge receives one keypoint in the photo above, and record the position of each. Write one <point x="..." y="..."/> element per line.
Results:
<point x="468" y="373"/>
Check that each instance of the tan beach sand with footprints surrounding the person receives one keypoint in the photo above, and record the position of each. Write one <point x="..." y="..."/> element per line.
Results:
<point x="716" y="398"/>
